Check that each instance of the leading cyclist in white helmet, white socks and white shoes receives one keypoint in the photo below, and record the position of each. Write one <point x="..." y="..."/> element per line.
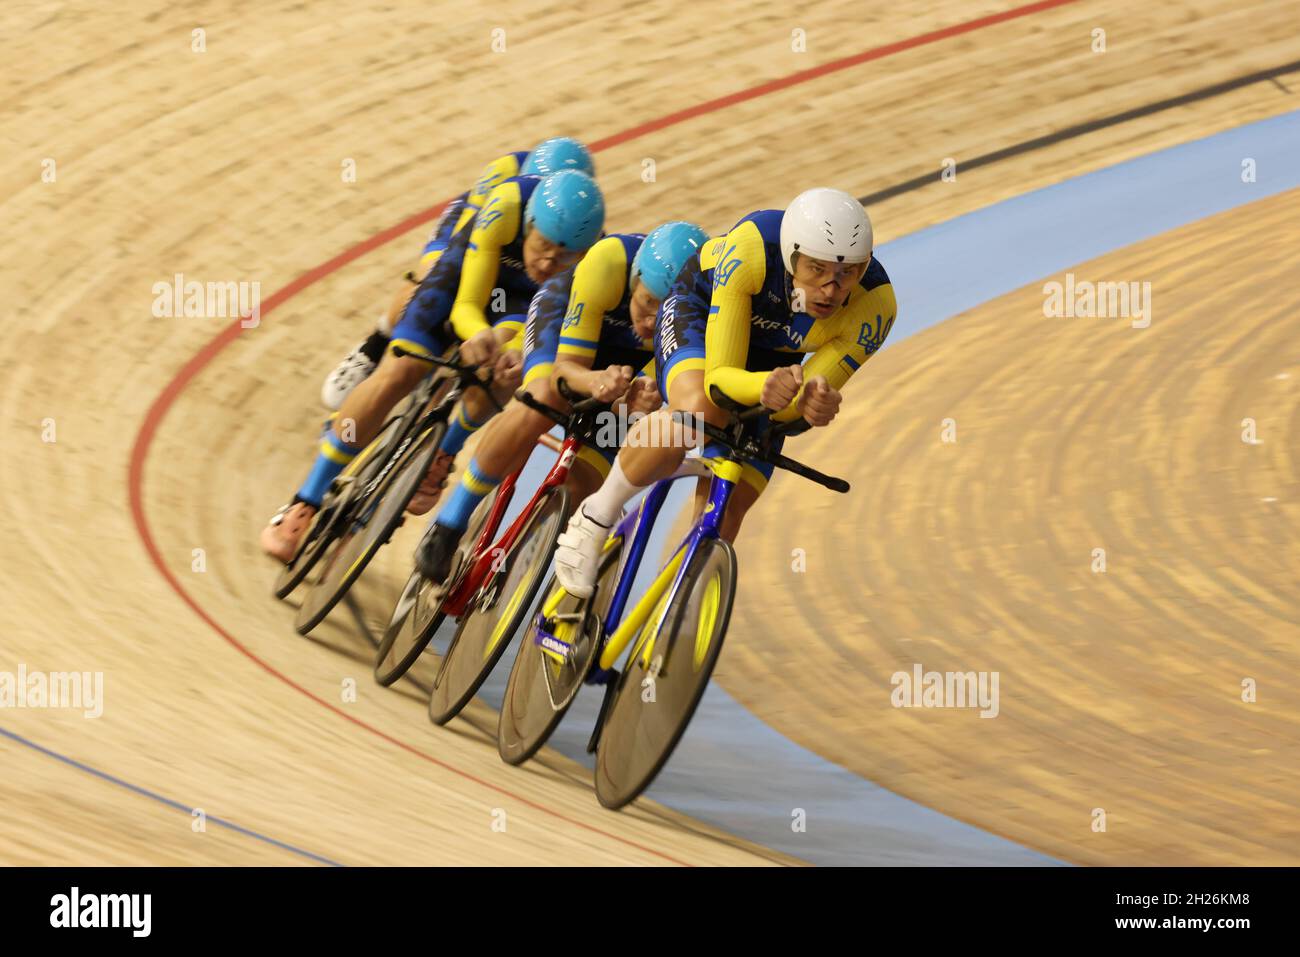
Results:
<point x="781" y="284"/>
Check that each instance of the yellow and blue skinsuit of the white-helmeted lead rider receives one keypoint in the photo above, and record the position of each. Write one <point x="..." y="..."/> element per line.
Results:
<point x="731" y="314"/>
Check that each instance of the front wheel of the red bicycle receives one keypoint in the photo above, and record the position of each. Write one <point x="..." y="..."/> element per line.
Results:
<point x="499" y="610"/>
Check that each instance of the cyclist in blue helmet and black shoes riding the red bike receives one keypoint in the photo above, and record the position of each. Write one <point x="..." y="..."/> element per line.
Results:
<point x="593" y="327"/>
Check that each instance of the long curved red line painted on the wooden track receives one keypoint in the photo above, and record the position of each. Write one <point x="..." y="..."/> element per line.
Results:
<point x="163" y="404"/>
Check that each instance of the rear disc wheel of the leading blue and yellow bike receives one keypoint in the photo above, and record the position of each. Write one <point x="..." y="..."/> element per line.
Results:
<point x="544" y="682"/>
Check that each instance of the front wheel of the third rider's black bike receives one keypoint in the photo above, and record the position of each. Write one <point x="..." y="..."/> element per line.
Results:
<point x="370" y="527"/>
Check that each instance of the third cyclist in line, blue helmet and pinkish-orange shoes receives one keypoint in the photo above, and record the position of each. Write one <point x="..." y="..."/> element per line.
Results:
<point x="528" y="231"/>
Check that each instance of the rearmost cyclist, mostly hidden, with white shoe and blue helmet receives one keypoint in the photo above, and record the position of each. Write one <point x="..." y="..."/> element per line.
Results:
<point x="549" y="157"/>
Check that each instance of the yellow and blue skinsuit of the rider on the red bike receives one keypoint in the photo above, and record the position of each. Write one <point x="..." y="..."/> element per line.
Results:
<point x="586" y="314"/>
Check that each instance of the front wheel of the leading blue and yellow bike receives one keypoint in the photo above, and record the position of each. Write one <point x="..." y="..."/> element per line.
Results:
<point x="665" y="678"/>
